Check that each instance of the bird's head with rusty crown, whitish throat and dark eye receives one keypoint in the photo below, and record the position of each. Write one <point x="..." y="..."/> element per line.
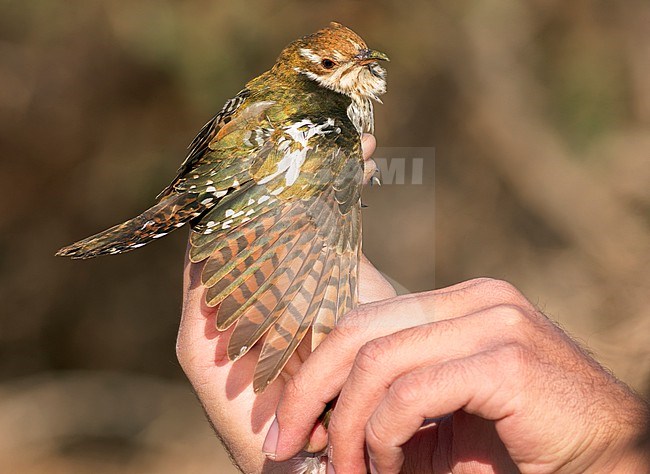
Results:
<point x="337" y="58"/>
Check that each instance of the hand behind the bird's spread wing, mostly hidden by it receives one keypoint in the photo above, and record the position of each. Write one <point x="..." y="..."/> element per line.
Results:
<point x="241" y="417"/>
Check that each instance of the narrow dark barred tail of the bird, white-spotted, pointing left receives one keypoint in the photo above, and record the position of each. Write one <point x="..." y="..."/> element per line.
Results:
<point x="153" y="223"/>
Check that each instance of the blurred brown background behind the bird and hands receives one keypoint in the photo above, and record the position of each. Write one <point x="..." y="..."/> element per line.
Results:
<point x="539" y="113"/>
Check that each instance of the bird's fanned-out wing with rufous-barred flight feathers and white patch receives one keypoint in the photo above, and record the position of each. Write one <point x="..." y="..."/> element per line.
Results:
<point x="282" y="243"/>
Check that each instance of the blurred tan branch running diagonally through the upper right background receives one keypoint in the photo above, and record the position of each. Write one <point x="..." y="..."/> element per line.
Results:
<point x="532" y="157"/>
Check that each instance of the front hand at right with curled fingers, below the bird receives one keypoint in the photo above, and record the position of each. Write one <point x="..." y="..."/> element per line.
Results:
<point x="521" y="394"/>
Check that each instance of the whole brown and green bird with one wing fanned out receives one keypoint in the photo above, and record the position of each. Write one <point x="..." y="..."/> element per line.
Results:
<point x="271" y="190"/>
